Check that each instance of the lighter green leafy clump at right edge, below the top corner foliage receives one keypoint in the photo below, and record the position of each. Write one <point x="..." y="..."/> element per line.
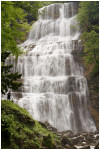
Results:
<point x="91" y="47"/>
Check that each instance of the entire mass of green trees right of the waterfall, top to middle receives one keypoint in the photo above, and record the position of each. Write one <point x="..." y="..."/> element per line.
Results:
<point x="88" y="18"/>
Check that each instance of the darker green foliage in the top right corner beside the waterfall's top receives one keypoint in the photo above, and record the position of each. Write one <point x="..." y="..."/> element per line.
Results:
<point x="88" y="14"/>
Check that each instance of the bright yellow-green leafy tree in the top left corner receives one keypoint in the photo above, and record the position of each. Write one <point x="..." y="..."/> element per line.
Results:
<point x="13" y="26"/>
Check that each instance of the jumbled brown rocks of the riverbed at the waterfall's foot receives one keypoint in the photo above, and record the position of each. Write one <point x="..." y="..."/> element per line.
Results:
<point x="80" y="140"/>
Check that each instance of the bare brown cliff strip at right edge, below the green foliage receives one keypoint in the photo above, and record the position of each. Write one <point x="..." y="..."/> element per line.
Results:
<point x="93" y="84"/>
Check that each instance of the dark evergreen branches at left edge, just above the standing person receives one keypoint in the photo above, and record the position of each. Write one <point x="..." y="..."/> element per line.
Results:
<point x="9" y="80"/>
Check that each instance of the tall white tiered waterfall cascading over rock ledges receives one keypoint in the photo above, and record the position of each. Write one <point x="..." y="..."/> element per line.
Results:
<point x="54" y="89"/>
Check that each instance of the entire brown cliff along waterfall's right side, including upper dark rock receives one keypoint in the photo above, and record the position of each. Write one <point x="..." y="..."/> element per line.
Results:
<point x="93" y="84"/>
